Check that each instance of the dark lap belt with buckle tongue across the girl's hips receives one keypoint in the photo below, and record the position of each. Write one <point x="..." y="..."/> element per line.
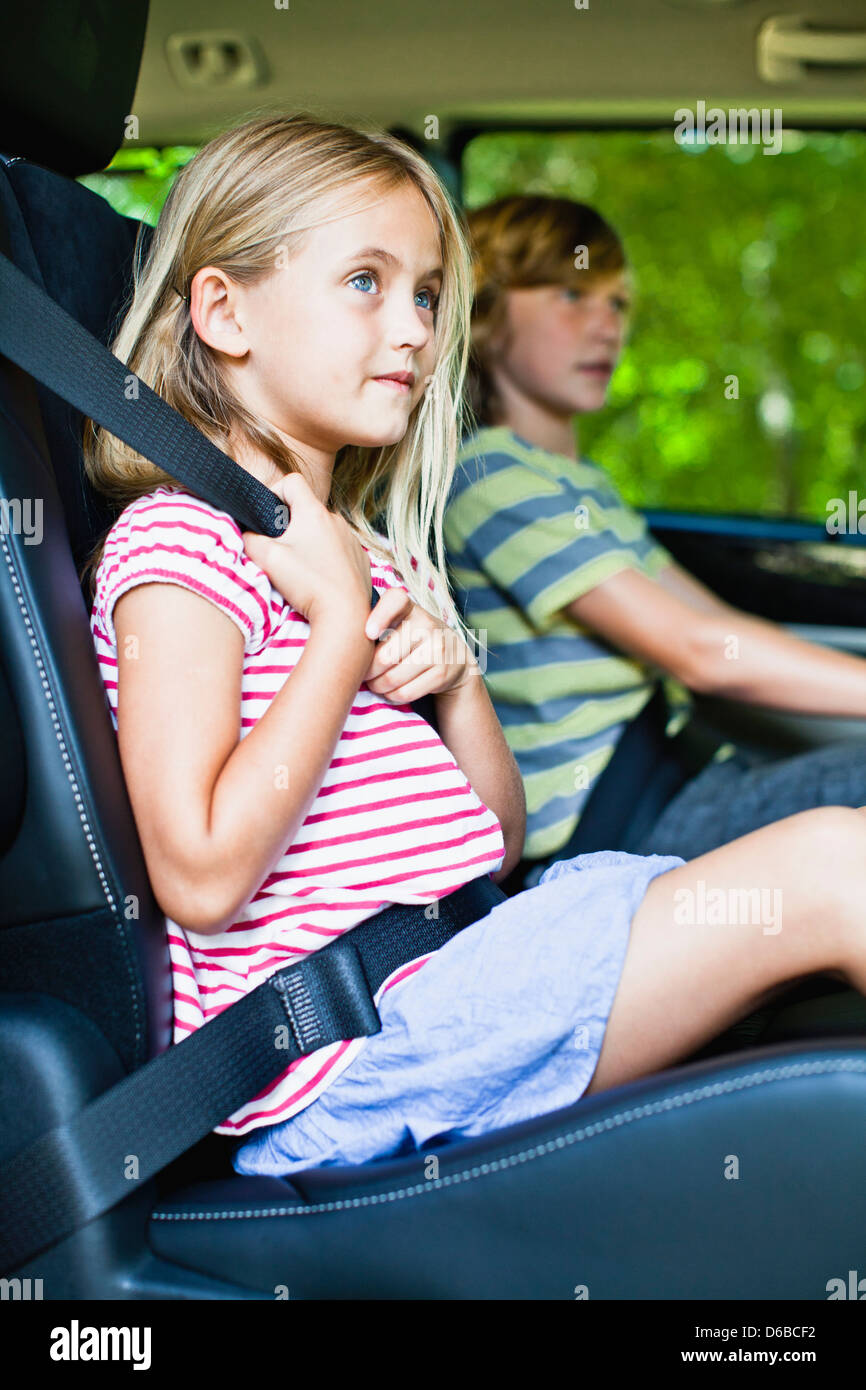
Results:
<point x="77" y="1171"/>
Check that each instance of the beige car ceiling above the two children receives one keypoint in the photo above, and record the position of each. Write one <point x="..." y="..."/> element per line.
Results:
<point x="482" y="63"/>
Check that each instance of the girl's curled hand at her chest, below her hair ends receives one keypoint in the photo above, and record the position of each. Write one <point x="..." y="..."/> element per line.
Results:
<point x="419" y="655"/>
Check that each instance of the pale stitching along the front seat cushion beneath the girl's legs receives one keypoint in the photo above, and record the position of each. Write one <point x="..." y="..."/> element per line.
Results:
<point x="629" y="1117"/>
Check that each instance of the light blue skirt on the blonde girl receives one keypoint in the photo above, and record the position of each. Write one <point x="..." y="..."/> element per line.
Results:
<point x="504" y="1024"/>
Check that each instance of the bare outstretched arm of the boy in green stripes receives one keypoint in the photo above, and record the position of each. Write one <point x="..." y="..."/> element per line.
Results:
<point x="717" y="650"/>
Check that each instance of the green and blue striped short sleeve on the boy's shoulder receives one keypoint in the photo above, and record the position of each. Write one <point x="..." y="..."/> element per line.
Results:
<point x="544" y="540"/>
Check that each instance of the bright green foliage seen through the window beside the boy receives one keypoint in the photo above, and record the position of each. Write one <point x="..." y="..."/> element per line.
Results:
<point x="746" y="265"/>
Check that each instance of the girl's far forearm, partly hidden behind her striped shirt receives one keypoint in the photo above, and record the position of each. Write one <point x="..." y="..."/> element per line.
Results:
<point x="472" y="733"/>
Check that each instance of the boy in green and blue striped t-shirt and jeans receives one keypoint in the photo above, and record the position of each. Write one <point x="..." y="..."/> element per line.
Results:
<point x="583" y="608"/>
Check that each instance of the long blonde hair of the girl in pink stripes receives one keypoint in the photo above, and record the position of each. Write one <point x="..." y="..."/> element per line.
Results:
<point x="248" y="194"/>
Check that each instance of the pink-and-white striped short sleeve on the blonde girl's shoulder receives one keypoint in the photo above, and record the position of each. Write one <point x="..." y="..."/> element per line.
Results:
<point x="176" y="539"/>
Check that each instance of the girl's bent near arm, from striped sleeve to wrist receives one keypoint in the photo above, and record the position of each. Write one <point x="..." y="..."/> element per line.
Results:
<point x="215" y="814"/>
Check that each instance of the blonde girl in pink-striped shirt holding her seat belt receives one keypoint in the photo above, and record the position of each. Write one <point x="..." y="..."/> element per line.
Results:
<point x="305" y="302"/>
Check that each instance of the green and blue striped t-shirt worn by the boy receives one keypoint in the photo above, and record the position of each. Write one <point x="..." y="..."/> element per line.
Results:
<point x="528" y="533"/>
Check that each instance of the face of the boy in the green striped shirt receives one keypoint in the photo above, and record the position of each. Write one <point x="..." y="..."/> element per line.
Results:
<point x="561" y="344"/>
